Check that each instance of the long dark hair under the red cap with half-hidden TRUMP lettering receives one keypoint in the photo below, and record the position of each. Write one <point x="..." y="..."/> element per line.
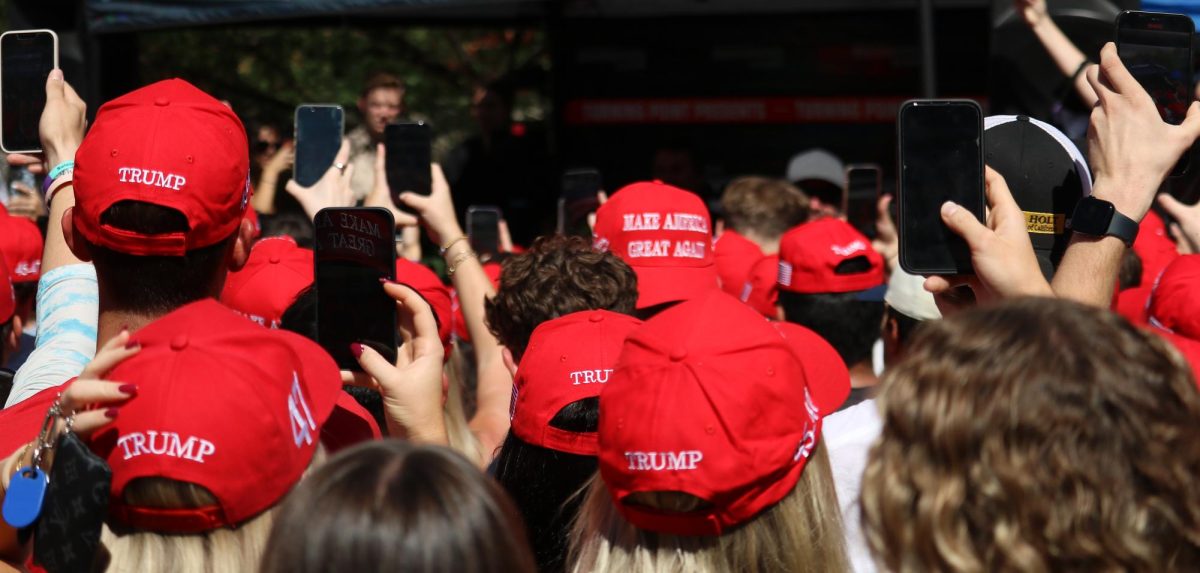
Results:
<point x="543" y="484"/>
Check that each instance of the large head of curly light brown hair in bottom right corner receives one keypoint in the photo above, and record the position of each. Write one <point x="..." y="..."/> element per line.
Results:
<point x="1036" y="436"/>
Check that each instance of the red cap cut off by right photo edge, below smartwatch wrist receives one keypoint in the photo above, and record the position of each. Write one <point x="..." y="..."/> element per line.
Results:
<point x="1174" y="303"/>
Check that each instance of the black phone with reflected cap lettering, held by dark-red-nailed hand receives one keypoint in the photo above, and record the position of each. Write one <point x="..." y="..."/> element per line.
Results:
<point x="353" y="250"/>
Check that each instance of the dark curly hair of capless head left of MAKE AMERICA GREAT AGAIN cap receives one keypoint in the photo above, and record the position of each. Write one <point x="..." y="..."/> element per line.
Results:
<point x="557" y="276"/>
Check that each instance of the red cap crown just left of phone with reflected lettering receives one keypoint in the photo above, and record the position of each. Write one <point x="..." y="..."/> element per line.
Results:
<point x="277" y="272"/>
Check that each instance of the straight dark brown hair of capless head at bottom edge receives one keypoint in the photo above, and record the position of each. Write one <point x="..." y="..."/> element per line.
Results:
<point x="393" y="506"/>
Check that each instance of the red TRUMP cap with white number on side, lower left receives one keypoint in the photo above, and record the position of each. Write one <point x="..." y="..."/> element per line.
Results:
<point x="224" y="405"/>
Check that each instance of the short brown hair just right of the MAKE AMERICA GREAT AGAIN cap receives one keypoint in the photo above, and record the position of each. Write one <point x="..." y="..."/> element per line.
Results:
<point x="767" y="207"/>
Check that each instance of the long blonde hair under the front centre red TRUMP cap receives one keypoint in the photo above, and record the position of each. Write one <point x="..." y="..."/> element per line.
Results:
<point x="802" y="533"/>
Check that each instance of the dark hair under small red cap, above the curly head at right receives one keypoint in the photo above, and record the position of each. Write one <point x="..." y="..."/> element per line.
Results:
<point x="849" y="325"/>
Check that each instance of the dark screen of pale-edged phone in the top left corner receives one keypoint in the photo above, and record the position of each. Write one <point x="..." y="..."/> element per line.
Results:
<point x="26" y="62"/>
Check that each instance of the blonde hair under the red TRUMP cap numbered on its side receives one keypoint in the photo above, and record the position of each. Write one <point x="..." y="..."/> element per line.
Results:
<point x="219" y="551"/>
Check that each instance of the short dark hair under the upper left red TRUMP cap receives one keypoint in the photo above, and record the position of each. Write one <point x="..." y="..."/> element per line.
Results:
<point x="155" y="285"/>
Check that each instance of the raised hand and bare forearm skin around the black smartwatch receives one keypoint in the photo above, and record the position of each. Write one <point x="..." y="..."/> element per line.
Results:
<point x="1131" y="150"/>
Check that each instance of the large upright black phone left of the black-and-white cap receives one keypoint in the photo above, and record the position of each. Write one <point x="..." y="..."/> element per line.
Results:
<point x="941" y="160"/>
